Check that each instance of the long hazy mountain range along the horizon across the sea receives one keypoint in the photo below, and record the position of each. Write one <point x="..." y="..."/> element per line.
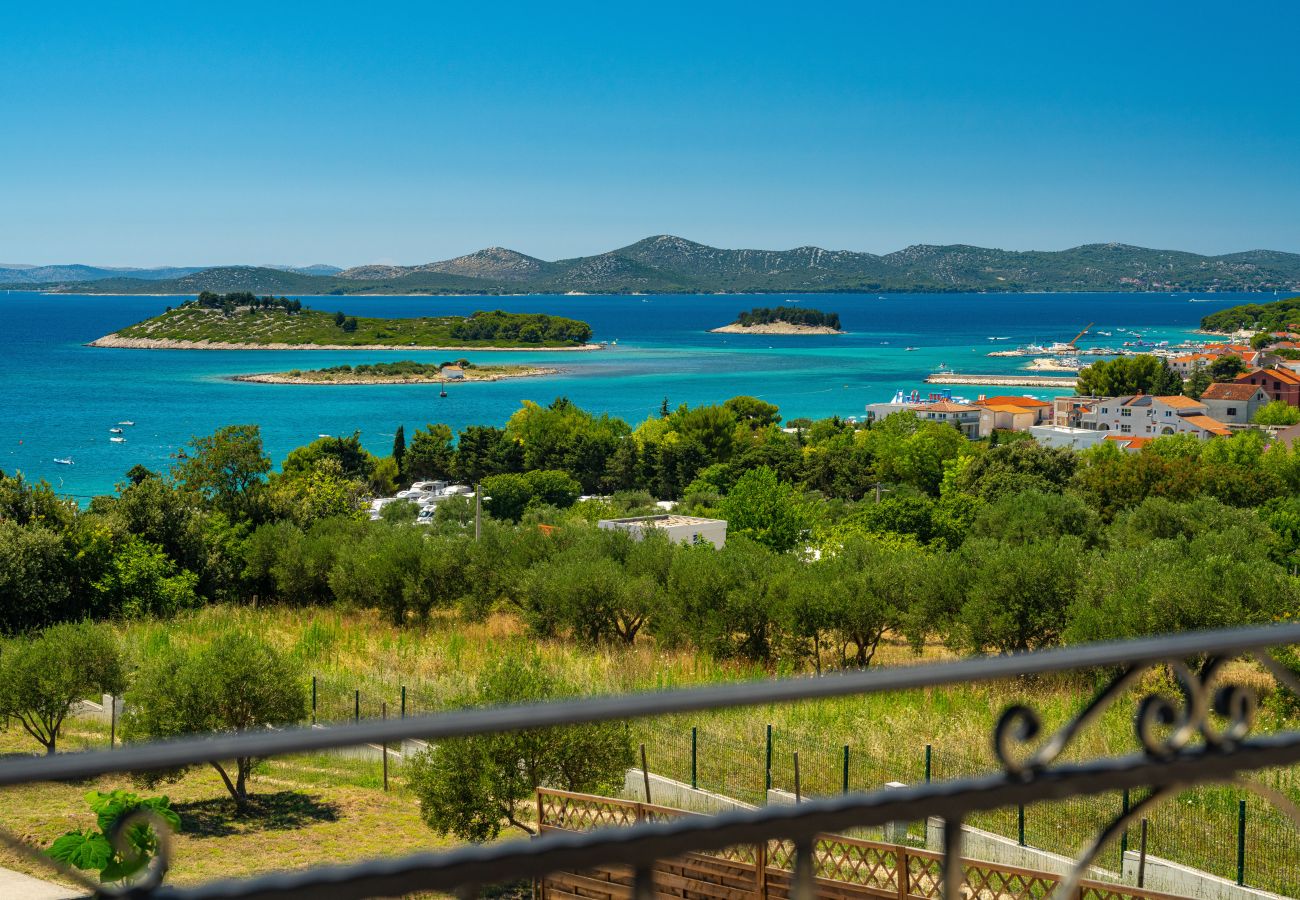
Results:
<point x="671" y="265"/>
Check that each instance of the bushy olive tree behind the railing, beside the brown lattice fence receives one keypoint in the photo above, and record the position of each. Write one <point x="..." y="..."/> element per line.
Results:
<point x="474" y="787"/>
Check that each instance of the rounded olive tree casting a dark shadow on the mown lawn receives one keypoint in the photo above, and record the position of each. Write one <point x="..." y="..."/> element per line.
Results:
<point x="239" y="682"/>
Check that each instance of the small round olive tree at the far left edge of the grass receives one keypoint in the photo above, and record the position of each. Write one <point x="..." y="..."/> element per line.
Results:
<point x="42" y="678"/>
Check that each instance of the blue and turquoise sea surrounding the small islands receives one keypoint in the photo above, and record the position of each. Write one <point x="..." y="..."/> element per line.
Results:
<point x="60" y="397"/>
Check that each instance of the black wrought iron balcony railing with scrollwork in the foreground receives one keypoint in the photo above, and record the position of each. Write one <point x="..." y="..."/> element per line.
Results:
<point x="1202" y="737"/>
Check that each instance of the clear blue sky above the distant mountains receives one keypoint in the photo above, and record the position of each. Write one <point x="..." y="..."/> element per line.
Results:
<point x="138" y="135"/>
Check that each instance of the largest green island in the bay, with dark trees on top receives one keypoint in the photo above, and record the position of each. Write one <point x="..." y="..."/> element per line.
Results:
<point x="245" y="322"/>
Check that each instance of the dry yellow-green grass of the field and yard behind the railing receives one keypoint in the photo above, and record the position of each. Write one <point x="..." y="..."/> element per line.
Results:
<point x="350" y="652"/>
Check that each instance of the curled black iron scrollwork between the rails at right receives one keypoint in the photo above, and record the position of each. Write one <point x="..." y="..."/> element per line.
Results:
<point x="1164" y="728"/>
